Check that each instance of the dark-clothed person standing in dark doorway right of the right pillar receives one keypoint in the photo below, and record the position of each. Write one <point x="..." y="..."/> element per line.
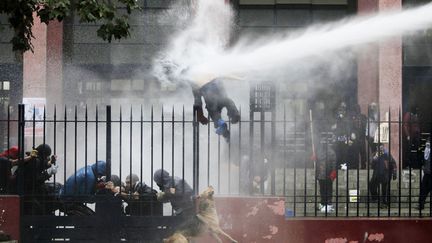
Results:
<point x="411" y="138"/>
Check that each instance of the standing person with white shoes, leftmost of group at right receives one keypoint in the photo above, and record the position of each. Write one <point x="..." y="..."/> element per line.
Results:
<point x="326" y="174"/>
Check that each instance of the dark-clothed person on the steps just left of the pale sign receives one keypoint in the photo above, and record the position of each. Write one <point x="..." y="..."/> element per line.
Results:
<point x="357" y="151"/>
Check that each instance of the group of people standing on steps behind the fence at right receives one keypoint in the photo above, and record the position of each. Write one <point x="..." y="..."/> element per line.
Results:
<point x="357" y="140"/>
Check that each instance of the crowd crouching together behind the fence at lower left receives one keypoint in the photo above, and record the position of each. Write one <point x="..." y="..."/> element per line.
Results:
<point x="30" y="177"/>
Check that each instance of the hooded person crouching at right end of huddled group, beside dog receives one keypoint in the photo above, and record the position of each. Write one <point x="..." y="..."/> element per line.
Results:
<point x="176" y="191"/>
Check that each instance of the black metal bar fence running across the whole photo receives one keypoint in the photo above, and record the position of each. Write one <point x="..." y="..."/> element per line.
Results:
<point x="267" y="155"/>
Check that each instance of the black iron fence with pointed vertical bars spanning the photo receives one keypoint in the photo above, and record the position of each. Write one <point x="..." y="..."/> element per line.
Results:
<point x="266" y="155"/>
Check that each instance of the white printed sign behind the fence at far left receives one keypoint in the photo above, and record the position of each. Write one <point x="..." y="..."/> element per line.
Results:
<point x="34" y="110"/>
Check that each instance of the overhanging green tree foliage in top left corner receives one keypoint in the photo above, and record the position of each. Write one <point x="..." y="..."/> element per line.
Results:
<point x="20" y="17"/>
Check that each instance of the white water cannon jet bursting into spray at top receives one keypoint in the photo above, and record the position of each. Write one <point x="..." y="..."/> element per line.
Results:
<point x="200" y="51"/>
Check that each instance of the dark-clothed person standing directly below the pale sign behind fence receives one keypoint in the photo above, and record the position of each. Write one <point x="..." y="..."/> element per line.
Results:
<point x="384" y="169"/>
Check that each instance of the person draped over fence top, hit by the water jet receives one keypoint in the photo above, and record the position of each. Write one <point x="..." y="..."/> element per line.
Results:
<point x="216" y="99"/>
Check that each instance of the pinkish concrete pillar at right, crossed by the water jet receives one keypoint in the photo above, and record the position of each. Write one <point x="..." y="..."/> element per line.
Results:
<point x="380" y="72"/>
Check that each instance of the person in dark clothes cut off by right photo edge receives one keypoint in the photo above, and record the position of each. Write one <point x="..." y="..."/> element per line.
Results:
<point x="426" y="182"/>
